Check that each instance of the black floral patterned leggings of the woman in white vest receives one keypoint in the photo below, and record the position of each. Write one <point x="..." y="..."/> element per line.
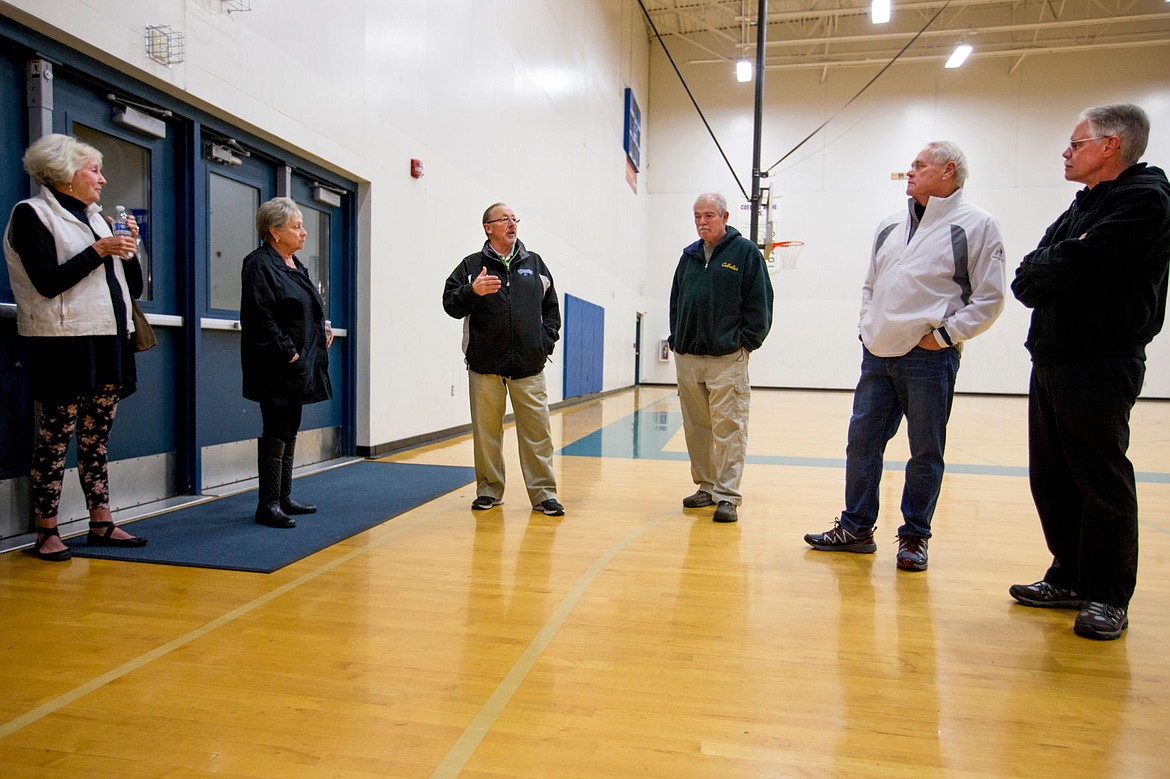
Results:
<point x="92" y="417"/>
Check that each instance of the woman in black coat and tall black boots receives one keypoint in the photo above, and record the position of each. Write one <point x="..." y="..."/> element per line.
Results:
<point x="285" y="353"/>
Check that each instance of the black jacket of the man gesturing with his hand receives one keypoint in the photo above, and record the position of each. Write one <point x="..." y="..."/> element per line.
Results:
<point x="511" y="333"/>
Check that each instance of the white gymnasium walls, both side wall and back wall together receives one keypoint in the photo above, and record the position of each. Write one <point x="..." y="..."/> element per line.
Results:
<point x="522" y="101"/>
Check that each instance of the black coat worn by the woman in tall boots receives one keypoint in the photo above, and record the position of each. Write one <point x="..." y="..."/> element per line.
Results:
<point x="281" y="315"/>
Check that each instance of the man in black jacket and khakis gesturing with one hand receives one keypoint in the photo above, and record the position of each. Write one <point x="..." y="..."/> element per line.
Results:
<point x="512" y="320"/>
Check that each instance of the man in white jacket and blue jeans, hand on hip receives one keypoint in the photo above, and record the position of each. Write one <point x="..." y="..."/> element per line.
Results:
<point x="937" y="279"/>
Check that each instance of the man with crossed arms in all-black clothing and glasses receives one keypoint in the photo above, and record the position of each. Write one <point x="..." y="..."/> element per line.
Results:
<point x="1097" y="286"/>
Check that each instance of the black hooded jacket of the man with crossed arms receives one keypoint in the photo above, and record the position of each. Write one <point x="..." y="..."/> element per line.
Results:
<point x="1097" y="285"/>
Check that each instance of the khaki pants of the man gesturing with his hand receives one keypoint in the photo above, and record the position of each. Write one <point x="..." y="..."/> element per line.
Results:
<point x="531" y="405"/>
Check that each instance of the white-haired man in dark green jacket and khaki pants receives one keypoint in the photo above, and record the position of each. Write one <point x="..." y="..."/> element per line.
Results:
<point x="721" y="311"/>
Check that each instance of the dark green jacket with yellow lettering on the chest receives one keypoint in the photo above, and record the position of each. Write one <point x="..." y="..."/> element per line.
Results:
<point x="722" y="306"/>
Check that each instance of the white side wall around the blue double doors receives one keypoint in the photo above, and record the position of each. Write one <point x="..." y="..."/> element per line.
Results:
<point x="503" y="100"/>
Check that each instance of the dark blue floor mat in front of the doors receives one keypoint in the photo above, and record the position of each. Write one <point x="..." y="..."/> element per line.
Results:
<point x="222" y="534"/>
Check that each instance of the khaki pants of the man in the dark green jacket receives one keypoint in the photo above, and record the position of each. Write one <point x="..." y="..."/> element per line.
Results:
<point x="715" y="396"/>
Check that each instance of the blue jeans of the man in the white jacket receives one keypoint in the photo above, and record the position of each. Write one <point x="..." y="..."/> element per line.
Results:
<point x="920" y="385"/>
